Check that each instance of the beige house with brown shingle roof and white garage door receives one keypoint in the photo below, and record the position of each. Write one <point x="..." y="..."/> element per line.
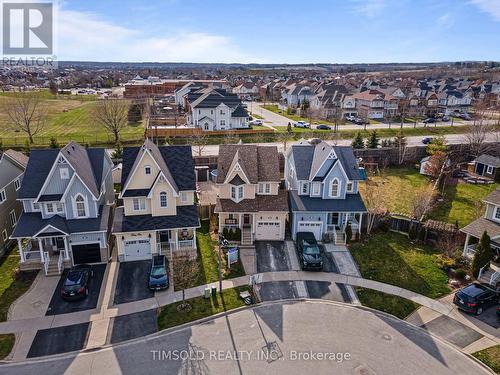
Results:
<point x="250" y="198"/>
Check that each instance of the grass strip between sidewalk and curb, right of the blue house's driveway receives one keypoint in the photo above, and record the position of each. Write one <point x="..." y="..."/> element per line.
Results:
<point x="394" y="305"/>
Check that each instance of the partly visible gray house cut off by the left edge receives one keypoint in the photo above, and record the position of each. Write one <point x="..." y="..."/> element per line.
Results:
<point x="12" y="166"/>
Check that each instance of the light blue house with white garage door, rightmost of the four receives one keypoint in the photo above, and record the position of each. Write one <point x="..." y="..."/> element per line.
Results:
<point x="323" y="188"/>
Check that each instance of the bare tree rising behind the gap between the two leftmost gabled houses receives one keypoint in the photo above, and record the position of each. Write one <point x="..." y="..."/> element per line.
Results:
<point x="112" y="114"/>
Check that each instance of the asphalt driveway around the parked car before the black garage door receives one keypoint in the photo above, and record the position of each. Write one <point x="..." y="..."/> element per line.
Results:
<point x="59" y="306"/>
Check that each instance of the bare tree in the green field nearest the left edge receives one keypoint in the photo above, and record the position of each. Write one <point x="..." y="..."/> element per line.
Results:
<point x="26" y="112"/>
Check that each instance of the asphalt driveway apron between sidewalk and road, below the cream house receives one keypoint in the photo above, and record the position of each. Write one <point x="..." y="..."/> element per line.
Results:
<point x="131" y="326"/>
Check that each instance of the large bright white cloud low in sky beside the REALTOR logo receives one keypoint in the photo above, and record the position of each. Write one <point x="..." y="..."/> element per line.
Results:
<point x="85" y="36"/>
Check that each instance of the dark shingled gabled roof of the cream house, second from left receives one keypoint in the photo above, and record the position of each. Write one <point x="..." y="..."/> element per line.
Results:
<point x="177" y="159"/>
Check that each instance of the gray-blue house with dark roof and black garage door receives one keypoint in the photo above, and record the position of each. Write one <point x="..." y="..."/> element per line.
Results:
<point x="67" y="196"/>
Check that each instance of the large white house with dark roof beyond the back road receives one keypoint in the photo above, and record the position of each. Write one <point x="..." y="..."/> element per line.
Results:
<point x="216" y="109"/>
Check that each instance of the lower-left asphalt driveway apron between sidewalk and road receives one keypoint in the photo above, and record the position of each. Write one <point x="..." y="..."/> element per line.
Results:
<point x="59" y="340"/>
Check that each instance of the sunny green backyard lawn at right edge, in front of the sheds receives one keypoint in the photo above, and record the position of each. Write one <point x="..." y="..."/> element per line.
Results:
<point x="462" y="203"/>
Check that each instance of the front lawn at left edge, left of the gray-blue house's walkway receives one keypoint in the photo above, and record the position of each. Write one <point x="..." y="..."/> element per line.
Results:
<point x="13" y="283"/>
